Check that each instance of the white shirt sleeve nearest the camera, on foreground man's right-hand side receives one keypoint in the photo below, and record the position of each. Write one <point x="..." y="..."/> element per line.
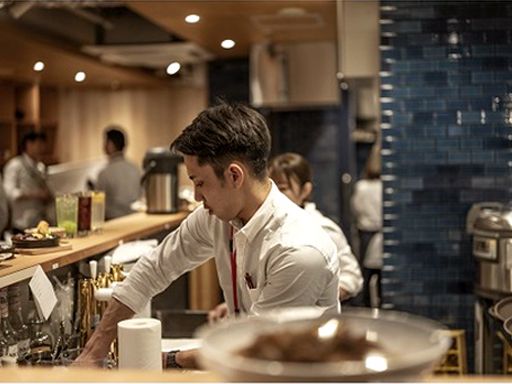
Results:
<point x="296" y="277"/>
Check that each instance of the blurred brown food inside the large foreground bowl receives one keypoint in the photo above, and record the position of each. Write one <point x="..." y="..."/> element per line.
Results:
<point x="305" y="346"/>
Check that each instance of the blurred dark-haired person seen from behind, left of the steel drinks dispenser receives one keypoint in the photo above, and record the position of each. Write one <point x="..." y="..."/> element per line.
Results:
<point x="120" y="179"/>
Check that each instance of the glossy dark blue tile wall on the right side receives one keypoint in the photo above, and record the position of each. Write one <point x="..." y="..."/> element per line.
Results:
<point x="446" y="76"/>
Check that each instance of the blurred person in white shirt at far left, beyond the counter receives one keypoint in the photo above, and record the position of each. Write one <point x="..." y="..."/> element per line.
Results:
<point x="25" y="184"/>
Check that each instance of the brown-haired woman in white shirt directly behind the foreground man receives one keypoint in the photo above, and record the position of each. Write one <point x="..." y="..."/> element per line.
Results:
<point x="292" y="174"/>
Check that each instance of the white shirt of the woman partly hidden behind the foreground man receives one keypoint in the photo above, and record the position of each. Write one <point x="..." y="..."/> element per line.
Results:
<point x="349" y="274"/>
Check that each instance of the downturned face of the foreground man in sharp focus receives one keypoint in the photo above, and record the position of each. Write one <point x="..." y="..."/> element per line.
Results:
<point x="217" y="195"/>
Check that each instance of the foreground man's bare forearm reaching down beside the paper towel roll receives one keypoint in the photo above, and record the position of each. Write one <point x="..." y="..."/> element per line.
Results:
<point x="98" y="345"/>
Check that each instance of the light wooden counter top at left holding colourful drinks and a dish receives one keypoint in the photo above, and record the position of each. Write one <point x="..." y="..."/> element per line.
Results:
<point x="126" y="228"/>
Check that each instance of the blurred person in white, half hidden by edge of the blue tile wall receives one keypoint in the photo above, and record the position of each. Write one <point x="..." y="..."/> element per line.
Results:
<point x="367" y="208"/>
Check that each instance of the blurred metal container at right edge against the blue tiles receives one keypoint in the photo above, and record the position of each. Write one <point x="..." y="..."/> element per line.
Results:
<point x="492" y="249"/>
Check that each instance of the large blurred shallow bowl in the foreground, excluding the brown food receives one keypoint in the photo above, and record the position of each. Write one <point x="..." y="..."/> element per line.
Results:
<point x="411" y="346"/>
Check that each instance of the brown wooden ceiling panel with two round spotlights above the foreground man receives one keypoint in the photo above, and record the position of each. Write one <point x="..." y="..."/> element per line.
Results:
<point x="235" y="19"/>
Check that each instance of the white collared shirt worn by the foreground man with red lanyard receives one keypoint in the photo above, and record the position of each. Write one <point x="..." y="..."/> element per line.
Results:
<point x="289" y="258"/>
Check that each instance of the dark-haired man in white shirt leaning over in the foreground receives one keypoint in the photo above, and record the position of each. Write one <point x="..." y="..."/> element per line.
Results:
<point x="267" y="252"/>
